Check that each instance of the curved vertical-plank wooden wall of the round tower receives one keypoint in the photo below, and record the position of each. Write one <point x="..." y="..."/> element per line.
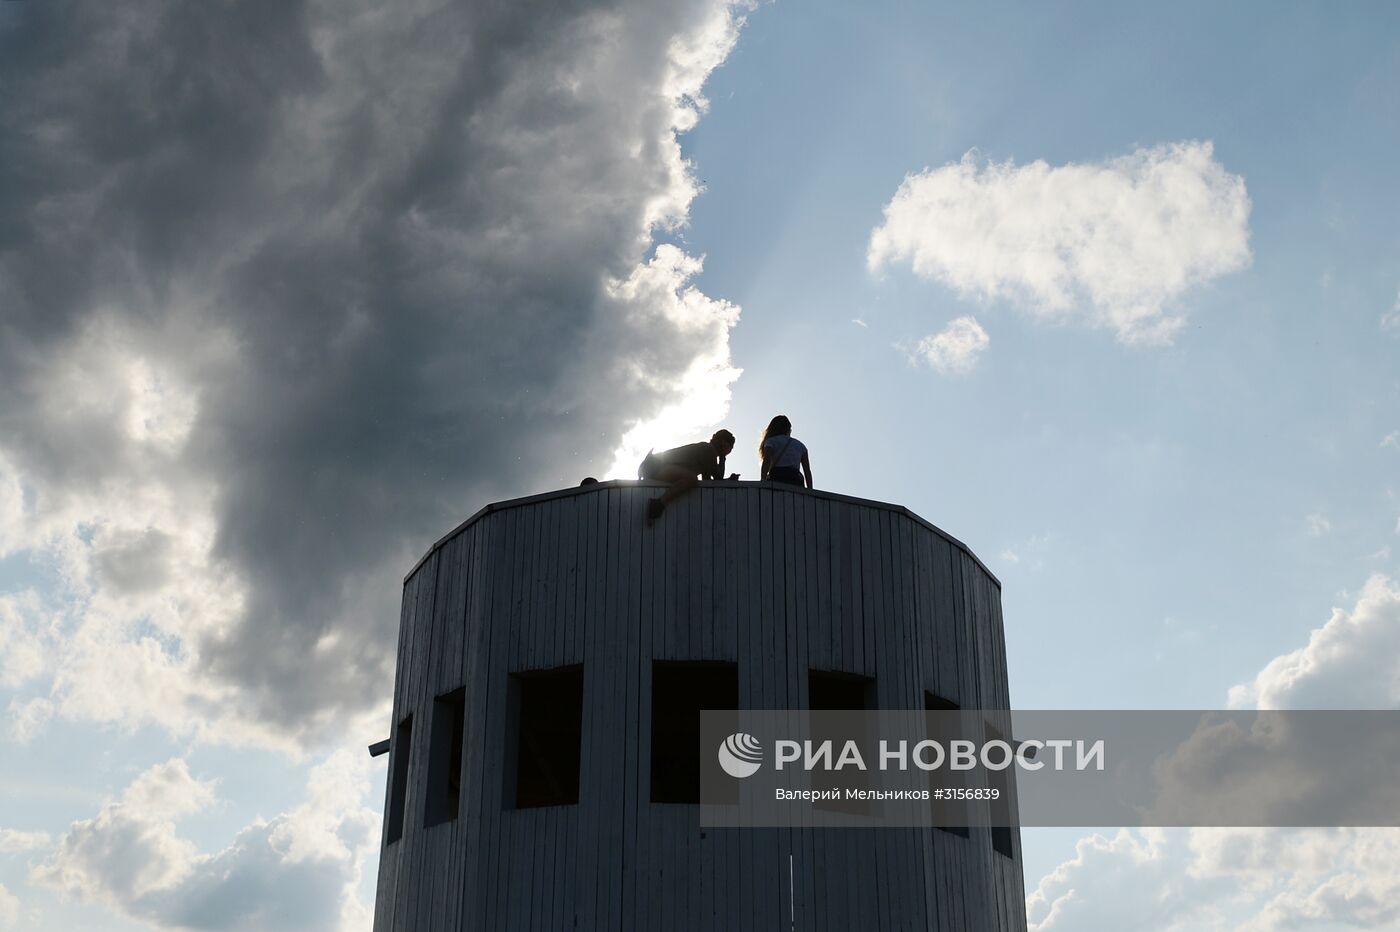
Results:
<point x="779" y="581"/>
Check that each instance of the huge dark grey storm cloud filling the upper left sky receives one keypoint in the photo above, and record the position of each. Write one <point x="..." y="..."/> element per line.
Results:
<point x="374" y="244"/>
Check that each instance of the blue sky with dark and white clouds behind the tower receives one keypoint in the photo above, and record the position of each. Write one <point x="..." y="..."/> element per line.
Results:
<point x="289" y="289"/>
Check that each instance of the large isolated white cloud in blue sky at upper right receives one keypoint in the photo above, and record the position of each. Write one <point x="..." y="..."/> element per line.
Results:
<point x="1112" y="244"/>
